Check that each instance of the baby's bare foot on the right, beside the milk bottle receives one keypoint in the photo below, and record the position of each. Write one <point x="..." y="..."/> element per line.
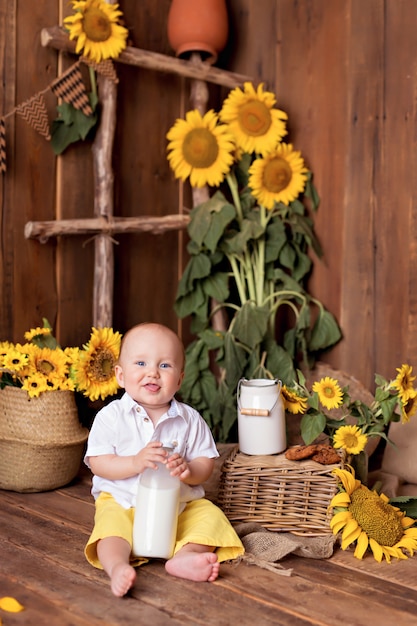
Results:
<point x="197" y="566"/>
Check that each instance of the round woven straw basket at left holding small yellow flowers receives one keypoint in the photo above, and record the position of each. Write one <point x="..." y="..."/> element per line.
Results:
<point x="41" y="440"/>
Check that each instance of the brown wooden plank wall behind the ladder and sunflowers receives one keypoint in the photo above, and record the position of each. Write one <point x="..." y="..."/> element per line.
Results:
<point x="343" y="70"/>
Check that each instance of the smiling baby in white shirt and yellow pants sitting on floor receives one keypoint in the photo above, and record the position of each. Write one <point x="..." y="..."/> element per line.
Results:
<point x="127" y="437"/>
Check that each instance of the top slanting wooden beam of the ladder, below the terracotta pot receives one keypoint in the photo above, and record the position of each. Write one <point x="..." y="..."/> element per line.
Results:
<point x="56" y="37"/>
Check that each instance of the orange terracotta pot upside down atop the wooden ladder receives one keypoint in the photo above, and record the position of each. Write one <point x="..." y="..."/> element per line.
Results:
<point x="198" y="26"/>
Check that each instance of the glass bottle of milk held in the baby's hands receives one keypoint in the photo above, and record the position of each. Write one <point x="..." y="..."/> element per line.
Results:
<point x="156" y="514"/>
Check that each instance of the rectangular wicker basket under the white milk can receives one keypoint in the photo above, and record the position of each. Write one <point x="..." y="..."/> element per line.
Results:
<point x="278" y="494"/>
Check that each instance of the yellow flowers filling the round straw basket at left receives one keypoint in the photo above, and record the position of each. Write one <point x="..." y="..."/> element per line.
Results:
<point x="41" y="365"/>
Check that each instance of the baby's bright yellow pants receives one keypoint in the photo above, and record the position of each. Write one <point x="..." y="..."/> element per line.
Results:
<point x="201" y="522"/>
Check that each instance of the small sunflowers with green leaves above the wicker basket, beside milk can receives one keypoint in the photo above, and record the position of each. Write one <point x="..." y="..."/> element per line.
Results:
<point x="328" y="410"/>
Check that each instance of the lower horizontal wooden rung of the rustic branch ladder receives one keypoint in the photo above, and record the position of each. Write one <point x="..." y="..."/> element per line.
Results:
<point x="95" y="225"/>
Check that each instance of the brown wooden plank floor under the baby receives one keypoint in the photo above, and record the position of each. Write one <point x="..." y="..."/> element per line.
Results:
<point x="42" y="565"/>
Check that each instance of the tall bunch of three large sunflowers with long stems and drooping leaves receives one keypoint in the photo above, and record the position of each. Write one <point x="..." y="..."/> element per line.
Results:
<point x="244" y="284"/>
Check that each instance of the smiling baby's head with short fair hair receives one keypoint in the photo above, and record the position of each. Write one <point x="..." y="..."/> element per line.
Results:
<point x="151" y="365"/>
